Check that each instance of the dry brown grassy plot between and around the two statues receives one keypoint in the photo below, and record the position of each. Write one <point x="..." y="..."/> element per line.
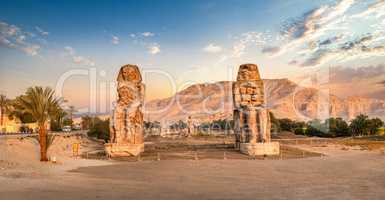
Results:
<point x="206" y="147"/>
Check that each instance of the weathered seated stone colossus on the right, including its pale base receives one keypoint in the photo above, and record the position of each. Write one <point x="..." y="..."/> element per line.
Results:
<point x="251" y="118"/>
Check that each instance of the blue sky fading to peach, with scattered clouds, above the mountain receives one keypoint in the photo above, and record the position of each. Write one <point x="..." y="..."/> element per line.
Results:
<point x="77" y="47"/>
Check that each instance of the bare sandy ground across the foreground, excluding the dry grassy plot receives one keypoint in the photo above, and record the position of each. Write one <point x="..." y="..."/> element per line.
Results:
<point x="344" y="173"/>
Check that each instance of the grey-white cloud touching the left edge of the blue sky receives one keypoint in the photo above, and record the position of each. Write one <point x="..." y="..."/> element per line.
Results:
<point x="14" y="37"/>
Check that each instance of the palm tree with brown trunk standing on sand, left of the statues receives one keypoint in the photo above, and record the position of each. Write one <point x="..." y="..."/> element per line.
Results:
<point x="41" y="104"/>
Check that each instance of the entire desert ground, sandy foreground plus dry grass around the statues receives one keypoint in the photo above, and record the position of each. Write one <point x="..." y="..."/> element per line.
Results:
<point x="171" y="169"/>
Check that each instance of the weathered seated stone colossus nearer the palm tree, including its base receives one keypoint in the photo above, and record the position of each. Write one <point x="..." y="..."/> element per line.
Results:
<point x="126" y="128"/>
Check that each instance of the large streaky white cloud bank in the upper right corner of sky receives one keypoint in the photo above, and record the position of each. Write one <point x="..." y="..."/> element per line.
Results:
<point x="333" y="33"/>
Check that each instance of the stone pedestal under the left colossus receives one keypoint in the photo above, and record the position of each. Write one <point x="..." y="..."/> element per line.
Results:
<point x="123" y="150"/>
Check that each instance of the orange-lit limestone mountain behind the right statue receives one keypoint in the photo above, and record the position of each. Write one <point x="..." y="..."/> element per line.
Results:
<point x="285" y="98"/>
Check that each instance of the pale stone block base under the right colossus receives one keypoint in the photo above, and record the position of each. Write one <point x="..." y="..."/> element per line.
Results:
<point x="260" y="149"/>
